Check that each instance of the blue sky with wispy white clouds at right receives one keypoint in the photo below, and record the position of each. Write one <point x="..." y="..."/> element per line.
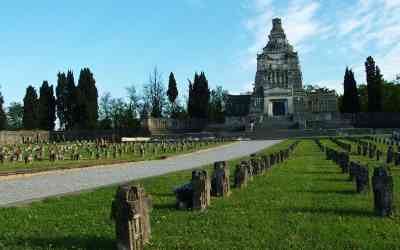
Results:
<point x="123" y="41"/>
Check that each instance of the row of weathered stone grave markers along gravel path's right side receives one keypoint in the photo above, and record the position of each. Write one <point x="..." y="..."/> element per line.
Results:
<point x="131" y="206"/>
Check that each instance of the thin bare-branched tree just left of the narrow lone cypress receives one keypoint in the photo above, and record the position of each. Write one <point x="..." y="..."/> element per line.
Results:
<point x="154" y="94"/>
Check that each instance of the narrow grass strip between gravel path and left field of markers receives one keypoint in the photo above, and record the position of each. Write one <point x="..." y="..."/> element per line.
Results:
<point x="46" y="165"/>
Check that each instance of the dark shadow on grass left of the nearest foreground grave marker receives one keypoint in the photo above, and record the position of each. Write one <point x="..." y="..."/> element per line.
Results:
<point x="70" y="242"/>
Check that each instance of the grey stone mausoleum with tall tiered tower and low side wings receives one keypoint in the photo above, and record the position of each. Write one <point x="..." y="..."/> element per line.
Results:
<point x="278" y="89"/>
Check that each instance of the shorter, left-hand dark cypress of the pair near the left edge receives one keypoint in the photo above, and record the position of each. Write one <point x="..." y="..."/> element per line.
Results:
<point x="31" y="109"/>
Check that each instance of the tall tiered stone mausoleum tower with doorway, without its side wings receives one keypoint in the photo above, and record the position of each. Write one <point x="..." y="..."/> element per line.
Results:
<point x="278" y="77"/>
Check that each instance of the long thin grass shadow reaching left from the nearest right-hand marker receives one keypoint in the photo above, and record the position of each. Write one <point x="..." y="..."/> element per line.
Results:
<point x="335" y="211"/>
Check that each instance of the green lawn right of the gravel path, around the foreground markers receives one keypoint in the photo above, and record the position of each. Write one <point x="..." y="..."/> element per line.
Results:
<point x="303" y="203"/>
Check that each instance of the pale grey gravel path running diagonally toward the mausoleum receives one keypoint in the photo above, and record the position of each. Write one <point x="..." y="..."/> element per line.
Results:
<point x="36" y="187"/>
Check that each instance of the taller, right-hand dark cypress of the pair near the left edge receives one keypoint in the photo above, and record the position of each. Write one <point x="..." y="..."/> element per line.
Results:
<point x="47" y="107"/>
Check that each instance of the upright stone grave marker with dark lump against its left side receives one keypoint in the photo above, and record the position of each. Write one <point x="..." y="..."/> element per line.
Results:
<point x="201" y="189"/>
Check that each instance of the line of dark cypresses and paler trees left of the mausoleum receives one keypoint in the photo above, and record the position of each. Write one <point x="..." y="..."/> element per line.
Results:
<point x="77" y="106"/>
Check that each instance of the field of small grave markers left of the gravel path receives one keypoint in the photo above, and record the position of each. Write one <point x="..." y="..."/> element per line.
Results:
<point x="28" y="153"/>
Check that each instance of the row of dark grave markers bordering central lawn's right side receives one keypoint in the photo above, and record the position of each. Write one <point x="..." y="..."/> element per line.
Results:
<point x="382" y="181"/>
